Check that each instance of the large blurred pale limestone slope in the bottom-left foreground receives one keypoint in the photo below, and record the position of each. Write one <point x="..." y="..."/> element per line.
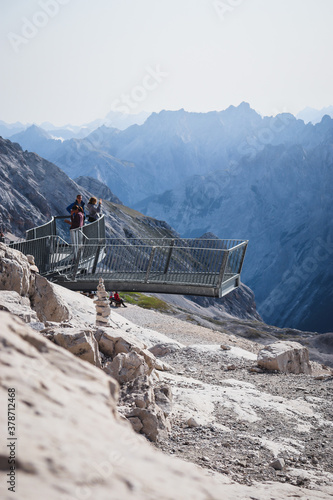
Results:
<point x="66" y="405"/>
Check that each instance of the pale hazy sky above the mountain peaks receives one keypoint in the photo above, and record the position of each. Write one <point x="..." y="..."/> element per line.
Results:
<point x="71" y="61"/>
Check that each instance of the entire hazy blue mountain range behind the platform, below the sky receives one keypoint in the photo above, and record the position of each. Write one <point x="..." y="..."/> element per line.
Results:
<point x="233" y="173"/>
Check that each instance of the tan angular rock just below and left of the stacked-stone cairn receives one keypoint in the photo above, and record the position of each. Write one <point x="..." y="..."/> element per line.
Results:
<point x="82" y="343"/>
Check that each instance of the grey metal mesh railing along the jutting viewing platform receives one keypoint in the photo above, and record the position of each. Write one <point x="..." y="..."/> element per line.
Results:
<point x="207" y="264"/>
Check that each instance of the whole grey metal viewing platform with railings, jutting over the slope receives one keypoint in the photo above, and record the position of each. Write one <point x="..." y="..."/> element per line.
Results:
<point x="208" y="267"/>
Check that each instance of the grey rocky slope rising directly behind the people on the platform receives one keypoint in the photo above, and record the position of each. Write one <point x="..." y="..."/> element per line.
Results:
<point x="32" y="190"/>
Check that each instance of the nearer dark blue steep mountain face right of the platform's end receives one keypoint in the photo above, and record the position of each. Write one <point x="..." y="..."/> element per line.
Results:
<point x="281" y="202"/>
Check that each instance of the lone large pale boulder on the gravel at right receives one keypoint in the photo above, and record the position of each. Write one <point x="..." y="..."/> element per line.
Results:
<point x="285" y="356"/>
